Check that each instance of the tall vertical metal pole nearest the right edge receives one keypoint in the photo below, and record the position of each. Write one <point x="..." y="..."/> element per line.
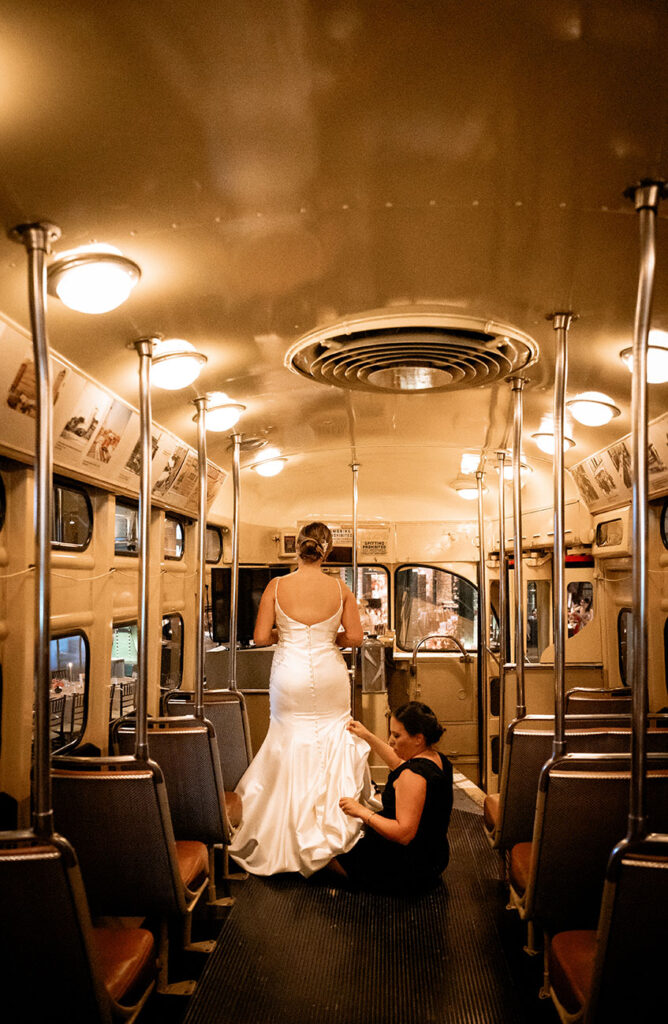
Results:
<point x="647" y="197"/>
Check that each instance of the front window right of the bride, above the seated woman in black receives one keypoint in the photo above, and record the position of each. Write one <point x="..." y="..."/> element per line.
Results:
<point x="435" y="601"/>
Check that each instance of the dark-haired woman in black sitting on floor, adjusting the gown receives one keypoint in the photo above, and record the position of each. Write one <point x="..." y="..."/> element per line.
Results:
<point x="405" y="846"/>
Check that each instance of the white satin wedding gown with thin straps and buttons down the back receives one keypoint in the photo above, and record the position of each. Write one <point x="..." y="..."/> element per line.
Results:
<point x="291" y="791"/>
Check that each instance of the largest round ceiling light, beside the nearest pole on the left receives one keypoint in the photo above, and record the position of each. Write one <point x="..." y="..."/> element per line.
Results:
<point x="93" y="279"/>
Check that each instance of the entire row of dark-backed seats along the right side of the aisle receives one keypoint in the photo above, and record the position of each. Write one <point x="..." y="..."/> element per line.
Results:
<point x="556" y="822"/>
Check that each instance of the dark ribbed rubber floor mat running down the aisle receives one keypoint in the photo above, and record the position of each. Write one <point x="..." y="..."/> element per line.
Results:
<point x="297" y="952"/>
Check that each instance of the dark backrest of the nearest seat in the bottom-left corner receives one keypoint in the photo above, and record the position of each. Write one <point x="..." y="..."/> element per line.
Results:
<point x="47" y="948"/>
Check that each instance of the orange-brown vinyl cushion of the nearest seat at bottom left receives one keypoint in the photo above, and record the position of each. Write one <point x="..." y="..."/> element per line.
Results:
<point x="128" y="961"/>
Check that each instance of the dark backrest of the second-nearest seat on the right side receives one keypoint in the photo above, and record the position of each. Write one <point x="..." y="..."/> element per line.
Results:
<point x="581" y="816"/>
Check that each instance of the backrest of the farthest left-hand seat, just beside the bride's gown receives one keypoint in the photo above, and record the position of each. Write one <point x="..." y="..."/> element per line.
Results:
<point x="227" y="712"/>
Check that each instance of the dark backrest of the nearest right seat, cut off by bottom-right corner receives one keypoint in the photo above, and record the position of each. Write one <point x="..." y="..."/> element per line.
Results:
<point x="629" y="982"/>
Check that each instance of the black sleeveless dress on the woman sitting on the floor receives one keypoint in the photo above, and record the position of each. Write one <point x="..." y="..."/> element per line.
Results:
<point x="382" y="866"/>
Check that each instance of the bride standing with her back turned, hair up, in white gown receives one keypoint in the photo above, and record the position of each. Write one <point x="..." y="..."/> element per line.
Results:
<point x="291" y="791"/>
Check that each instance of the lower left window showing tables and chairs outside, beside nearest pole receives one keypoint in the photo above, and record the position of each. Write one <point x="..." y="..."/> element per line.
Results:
<point x="69" y="660"/>
